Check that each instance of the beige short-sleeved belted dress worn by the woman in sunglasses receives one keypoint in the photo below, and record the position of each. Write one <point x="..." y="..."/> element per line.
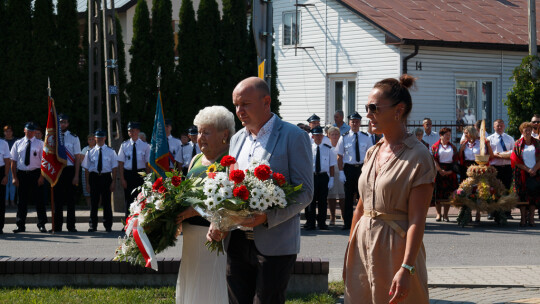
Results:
<point x="377" y="245"/>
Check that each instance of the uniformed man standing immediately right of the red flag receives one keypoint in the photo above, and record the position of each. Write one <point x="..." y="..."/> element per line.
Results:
<point x="64" y="190"/>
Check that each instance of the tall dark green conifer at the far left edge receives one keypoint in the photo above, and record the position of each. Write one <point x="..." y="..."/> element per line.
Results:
<point x="18" y="97"/>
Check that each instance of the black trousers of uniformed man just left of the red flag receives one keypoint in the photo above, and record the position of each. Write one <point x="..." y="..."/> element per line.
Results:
<point x="28" y="193"/>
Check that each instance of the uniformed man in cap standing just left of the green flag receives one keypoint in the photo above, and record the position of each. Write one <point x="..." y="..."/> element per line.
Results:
<point x="133" y="158"/>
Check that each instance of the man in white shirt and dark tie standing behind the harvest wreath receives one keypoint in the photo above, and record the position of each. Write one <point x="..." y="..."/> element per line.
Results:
<point x="502" y="145"/>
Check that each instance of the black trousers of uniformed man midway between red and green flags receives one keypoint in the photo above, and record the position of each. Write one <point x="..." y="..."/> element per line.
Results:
<point x="100" y="188"/>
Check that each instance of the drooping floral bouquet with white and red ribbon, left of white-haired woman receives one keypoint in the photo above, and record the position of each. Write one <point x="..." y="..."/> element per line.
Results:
<point x="151" y="226"/>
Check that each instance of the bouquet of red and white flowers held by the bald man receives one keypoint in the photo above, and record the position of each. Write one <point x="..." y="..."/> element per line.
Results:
<point x="229" y="198"/>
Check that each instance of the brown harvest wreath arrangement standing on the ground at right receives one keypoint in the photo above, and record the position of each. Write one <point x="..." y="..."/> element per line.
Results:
<point x="482" y="191"/>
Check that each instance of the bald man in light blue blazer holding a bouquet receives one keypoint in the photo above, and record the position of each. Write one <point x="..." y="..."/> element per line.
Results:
<point x="260" y="262"/>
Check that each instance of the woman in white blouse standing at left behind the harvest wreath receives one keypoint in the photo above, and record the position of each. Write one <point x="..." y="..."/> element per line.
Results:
<point x="468" y="151"/>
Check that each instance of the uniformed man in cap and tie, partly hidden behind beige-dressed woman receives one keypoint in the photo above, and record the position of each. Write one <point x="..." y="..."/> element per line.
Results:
<point x="352" y="147"/>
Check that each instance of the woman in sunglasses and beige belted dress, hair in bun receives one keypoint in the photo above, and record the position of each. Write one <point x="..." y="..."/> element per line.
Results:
<point x="385" y="260"/>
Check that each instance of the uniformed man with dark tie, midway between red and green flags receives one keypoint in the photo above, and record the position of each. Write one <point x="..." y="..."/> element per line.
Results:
<point x="100" y="165"/>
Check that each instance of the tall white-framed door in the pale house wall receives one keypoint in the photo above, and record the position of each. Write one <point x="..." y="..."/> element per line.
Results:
<point x="342" y="95"/>
